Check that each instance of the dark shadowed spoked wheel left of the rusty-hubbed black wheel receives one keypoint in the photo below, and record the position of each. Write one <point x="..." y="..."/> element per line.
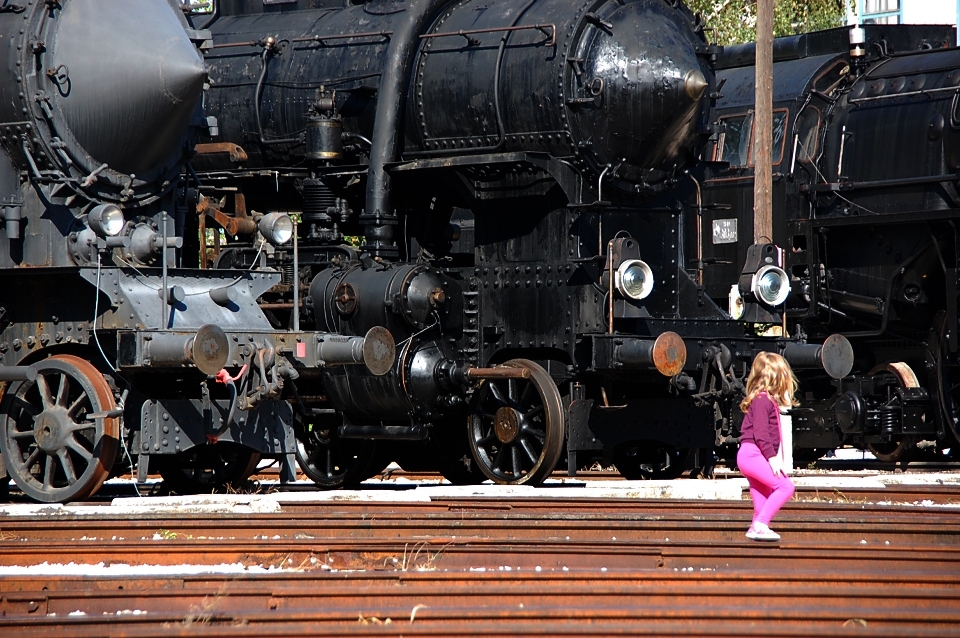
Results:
<point x="331" y="462"/>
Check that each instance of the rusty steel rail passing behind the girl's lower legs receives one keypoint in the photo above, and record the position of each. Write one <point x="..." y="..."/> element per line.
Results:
<point x="725" y="520"/>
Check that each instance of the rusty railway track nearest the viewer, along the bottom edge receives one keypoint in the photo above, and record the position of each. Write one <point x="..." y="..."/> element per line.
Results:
<point x="536" y="604"/>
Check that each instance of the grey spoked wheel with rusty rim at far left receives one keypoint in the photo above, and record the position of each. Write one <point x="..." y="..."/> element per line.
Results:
<point x="51" y="448"/>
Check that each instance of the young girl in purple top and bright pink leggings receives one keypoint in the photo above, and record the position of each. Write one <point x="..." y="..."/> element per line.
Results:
<point x="770" y="387"/>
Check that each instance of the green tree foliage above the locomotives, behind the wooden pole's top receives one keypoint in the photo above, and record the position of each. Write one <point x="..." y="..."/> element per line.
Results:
<point x="735" y="21"/>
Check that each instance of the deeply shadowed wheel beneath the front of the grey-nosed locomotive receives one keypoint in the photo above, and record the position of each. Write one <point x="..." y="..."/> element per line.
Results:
<point x="208" y="468"/>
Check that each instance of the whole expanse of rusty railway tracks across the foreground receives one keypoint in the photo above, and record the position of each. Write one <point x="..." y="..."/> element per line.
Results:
<point x="486" y="566"/>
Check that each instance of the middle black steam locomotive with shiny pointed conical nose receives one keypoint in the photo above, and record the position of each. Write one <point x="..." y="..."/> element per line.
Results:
<point x="496" y="183"/>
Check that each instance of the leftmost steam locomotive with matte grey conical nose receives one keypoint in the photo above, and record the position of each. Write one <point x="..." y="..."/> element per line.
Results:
<point x="113" y="353"/>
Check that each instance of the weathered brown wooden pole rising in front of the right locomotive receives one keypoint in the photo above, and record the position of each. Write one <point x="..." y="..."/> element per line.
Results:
<point x="763" y="126"/>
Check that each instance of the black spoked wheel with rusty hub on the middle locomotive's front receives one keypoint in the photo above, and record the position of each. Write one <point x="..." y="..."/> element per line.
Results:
<point x="516" y="429"/>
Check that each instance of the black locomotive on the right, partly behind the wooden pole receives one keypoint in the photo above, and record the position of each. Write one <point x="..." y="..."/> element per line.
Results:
<point x="866" y="155"/>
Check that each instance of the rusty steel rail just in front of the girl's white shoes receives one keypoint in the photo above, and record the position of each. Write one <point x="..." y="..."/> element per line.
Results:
<point x="493" y="554"/>
